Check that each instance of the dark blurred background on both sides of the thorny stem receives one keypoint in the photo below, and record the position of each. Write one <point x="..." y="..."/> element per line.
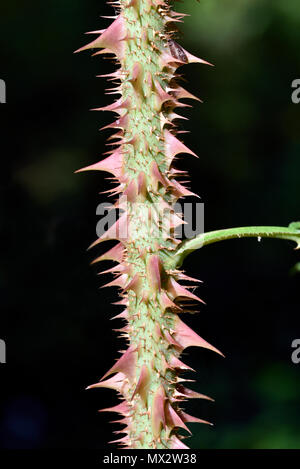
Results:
<point x="54" y="319"/>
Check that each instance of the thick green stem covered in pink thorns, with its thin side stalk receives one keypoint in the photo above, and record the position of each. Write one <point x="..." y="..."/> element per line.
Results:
<point x="148" y="375"/>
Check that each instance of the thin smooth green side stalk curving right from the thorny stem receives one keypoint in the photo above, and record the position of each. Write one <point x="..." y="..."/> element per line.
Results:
<point x="291" y="233"/>
